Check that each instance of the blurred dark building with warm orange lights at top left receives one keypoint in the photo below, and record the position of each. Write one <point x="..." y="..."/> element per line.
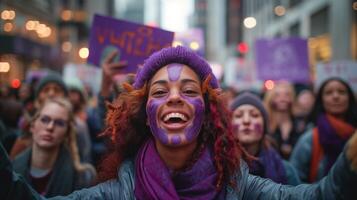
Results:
<point x="42" y="34"/>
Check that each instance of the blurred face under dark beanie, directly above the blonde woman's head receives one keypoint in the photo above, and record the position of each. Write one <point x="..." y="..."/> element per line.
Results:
<point x="50" y="90"/>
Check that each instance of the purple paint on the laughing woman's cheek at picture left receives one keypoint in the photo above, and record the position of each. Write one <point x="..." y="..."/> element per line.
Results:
<point x="151" y="111"/>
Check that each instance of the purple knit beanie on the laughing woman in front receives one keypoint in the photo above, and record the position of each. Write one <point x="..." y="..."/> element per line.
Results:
<point x="179" y="54"/>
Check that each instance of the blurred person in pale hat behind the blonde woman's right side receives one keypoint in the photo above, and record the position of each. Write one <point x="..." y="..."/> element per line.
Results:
<point x="78" y="98"/>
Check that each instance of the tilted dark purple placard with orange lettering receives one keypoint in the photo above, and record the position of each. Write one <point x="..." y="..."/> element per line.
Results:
<point x="135" y="42"/>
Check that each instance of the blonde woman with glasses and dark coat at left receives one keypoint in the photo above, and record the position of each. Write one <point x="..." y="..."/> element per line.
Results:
<point x="51" y="165"/>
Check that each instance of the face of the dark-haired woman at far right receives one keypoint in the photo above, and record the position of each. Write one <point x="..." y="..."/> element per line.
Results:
<point x="335" y="98"/>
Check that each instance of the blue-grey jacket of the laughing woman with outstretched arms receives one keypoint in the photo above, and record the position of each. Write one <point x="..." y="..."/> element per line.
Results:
<point x="339" y="184"/>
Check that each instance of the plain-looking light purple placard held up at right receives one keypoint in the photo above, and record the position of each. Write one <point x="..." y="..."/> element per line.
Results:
<point x="284" y="58"/>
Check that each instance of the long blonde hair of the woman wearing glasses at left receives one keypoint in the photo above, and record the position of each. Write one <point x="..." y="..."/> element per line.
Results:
<point x="71" y="140"/>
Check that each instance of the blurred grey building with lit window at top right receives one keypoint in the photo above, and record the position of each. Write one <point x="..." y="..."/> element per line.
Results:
<point x="329" y="25"/>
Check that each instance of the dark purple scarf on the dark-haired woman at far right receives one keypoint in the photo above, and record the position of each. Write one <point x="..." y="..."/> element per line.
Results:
<point x="332" y="144"/>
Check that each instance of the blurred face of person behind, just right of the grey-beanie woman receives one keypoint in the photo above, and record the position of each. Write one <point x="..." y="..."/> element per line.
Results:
<point x="282" y="98"/>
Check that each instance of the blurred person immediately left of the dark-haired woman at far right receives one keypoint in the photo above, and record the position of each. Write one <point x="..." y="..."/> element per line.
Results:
<point x="303" y="105"/>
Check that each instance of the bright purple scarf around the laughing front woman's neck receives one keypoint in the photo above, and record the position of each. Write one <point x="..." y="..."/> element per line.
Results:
<point x="153" y="179"/>
